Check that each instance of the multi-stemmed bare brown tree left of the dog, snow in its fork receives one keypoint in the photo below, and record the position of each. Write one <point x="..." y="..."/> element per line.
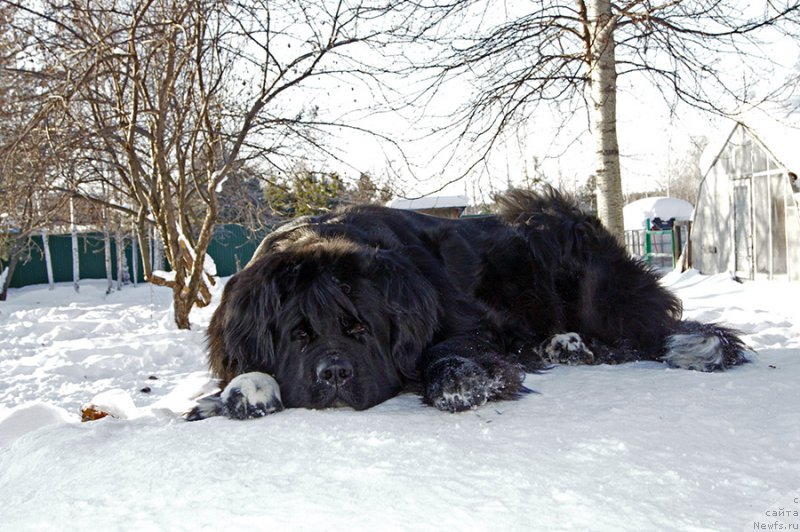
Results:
<point x="172" y="97"/>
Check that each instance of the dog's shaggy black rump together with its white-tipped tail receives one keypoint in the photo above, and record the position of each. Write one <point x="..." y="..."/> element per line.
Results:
<point x="615" y="302"/>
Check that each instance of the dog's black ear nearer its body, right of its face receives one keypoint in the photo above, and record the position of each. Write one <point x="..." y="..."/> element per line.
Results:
<point x="412" y="302"/>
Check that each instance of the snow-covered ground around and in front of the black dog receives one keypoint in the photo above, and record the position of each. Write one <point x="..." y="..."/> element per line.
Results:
<point x="633" y="447"/>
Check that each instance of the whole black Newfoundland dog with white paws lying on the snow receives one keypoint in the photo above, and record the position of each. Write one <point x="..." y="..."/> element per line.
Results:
<point x="354" y="307"/>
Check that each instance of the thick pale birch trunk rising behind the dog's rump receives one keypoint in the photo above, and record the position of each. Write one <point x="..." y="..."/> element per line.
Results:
<point x="603" y="115"/>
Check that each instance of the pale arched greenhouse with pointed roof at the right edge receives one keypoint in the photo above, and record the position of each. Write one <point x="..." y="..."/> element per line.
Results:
<point x="746" y="219"/>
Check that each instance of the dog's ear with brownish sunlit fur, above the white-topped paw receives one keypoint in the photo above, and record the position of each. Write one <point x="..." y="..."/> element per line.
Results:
<point x="239" y="334"/>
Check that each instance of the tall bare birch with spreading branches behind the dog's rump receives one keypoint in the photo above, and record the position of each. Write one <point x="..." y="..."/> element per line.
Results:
<point x="569" y="55"/>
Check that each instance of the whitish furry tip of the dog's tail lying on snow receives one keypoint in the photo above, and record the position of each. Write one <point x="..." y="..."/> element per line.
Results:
<point x="704" y="347"/>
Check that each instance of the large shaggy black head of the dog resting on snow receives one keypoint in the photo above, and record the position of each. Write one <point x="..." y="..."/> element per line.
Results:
<point x="334" y="322"/>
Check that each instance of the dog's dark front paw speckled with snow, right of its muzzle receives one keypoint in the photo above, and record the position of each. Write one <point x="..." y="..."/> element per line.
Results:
<point x="456" y="383"/>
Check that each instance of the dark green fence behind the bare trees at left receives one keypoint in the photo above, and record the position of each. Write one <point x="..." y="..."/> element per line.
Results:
<point x="231" y="248"/>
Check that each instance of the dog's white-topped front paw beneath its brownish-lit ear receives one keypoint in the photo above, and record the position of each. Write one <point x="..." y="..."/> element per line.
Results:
<point x="251" y="395"/>
